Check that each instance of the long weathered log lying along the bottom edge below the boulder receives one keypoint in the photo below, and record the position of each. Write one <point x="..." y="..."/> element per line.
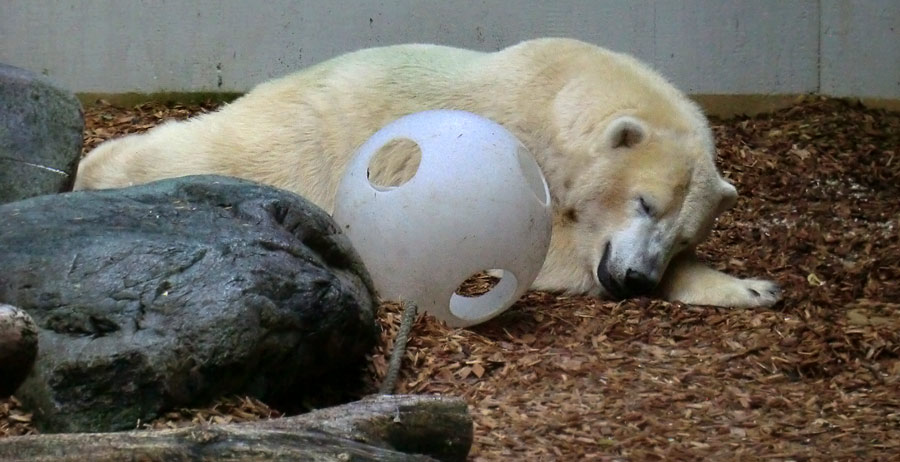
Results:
<point x="381" y="428"/>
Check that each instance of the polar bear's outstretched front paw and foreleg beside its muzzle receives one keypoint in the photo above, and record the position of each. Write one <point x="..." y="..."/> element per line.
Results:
<point x="689" y="281"/>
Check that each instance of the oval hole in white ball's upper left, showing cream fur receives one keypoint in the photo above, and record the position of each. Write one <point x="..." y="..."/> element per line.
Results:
<point x="394" y="164"/>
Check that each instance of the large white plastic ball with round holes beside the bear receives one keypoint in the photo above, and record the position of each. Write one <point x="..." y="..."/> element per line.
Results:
<point x="477" y="202"/>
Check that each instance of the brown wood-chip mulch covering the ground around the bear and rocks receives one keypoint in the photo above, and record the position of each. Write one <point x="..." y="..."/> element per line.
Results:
<point x="574" y="378"/>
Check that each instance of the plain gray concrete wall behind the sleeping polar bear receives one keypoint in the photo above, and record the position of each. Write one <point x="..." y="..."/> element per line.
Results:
<point x="841" y="48"/>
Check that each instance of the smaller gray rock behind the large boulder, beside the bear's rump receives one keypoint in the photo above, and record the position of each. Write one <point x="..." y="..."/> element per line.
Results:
<point x="41" y="131"/>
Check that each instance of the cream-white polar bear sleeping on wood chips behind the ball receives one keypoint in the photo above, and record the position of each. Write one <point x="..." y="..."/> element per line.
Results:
<point x="628" y="158"/>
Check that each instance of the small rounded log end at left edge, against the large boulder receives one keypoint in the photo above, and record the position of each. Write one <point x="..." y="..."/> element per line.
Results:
<point x="18" y="347"/>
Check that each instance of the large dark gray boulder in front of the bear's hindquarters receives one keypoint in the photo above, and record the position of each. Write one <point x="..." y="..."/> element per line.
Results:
<point x="175" y="292"/>
